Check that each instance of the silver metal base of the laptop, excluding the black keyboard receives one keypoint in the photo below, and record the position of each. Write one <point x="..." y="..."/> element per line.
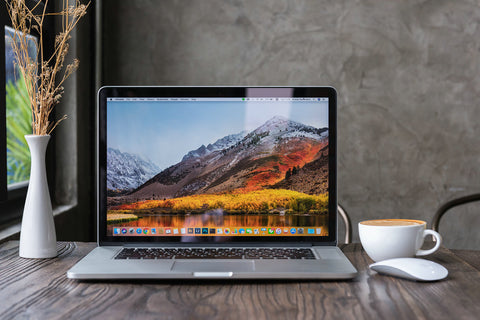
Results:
<point x="330" y="263"/>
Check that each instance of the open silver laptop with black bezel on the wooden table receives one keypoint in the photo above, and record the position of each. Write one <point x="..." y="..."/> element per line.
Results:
<point x="216" y="183"/>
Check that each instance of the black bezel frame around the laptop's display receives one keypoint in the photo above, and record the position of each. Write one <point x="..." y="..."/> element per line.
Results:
<point x="214" y="92"/>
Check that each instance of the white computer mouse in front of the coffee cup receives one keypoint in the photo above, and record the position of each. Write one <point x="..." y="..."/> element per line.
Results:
<point x="411" y="268"/>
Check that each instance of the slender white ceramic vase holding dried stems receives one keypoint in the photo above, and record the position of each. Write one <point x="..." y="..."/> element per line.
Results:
<point x="37" y="237"/>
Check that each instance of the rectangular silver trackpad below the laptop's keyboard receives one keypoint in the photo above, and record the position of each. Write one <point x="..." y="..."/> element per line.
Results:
<point x="213" y="266"/>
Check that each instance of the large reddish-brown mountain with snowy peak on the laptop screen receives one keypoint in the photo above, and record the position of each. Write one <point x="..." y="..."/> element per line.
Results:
<point x="248" y="161"/>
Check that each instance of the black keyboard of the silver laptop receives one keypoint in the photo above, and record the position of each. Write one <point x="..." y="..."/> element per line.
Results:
<point x="215" y="253"/>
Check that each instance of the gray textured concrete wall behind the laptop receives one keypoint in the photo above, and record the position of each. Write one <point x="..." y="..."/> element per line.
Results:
<point x="407" y="74"/>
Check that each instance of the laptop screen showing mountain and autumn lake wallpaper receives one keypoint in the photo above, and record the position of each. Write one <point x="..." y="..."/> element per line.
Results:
<point x="195" y="168"/>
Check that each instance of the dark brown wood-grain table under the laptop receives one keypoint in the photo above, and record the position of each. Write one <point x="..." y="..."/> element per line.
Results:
<point x="39" y="289"/>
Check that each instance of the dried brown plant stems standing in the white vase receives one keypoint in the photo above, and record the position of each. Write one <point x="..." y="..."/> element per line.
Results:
<point x="44" y="77"/>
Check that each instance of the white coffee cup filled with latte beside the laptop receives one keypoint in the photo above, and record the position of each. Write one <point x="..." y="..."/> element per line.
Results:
<point x="395" y="238"/>
